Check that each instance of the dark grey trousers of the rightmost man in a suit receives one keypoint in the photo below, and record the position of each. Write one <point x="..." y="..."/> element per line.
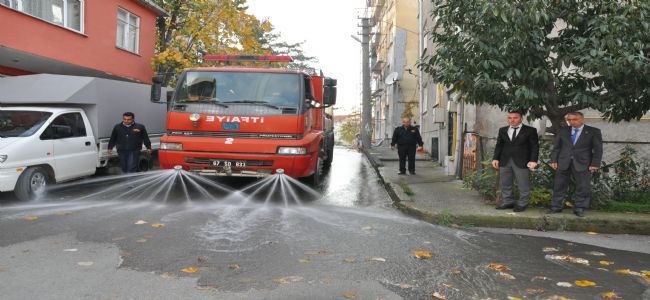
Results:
<point x="583" y="187"/>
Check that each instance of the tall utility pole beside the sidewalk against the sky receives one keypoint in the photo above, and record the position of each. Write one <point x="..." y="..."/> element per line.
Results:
<point x="366" y="118"/>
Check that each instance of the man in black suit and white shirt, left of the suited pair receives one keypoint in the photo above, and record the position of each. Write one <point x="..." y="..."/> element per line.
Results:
<point x="516" y="152"/>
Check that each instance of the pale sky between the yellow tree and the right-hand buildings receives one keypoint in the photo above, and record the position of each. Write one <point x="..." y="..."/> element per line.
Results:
<point x="326" y="27"/>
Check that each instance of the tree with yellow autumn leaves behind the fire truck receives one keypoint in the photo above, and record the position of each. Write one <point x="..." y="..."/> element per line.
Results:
<point x="197" y="27"/>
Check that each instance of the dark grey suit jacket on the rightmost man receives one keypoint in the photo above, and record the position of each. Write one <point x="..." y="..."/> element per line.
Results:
<point x="588" y="150"/>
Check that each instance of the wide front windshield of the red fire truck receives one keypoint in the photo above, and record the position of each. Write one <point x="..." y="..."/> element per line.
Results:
<point x="239" y="88"/>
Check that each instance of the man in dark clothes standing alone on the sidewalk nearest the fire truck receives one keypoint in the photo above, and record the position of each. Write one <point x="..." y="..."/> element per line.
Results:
<point x="406" y="137"/>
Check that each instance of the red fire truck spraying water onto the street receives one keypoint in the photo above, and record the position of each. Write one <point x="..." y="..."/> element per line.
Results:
<point x="248" y="121"/>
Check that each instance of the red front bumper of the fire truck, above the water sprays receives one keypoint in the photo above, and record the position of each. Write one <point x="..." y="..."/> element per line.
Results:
<point x="257" y="165"/>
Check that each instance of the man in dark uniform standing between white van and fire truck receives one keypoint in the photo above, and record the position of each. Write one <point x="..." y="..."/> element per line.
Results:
<point x="128" y="137"/>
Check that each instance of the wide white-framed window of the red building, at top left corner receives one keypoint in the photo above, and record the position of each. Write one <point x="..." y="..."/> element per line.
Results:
<point x="66" y="13"/>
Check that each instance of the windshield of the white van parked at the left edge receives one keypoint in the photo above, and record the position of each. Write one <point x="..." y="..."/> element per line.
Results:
<point x="21" y="123"/>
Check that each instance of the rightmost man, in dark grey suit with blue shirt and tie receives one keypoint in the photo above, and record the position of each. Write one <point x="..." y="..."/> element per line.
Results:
<point x="578" y="151"/>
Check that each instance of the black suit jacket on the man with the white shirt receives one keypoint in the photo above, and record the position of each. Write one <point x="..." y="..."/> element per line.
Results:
<point x="523" y="149"/>
